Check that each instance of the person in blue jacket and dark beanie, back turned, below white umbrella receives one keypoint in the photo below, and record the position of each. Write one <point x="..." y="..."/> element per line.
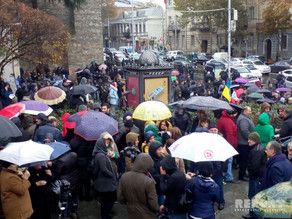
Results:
<point x="205" y="192"/>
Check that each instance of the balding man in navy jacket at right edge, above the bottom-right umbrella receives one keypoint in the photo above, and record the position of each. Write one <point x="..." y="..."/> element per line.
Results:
<point x="278" y="167"/>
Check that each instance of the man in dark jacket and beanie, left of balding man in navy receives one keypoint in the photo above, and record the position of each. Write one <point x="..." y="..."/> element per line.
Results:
<point x="255" y="165"/>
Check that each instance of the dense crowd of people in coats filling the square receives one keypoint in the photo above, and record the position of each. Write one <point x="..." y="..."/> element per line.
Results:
<point x="135" y="167"/>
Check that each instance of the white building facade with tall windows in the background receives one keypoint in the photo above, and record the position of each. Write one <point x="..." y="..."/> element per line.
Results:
<point x="145" y="27"/>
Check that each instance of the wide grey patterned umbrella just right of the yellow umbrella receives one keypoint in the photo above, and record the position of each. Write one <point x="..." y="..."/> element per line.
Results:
<point x="205" y="103"/>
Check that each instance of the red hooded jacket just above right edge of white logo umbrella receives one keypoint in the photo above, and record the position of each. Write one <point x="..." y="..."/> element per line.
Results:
<point x="228" y="128"/>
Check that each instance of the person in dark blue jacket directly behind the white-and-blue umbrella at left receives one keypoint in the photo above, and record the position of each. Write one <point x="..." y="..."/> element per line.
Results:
<point x="44" y="128"/>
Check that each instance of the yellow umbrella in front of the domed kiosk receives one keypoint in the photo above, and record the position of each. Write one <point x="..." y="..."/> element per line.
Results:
<point x="151" y="110"/>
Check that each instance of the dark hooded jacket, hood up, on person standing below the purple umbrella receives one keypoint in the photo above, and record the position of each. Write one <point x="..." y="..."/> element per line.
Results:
<point x="104" y="175"/>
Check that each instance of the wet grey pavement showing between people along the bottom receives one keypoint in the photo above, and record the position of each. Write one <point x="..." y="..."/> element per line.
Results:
<point x="90" y="210"/>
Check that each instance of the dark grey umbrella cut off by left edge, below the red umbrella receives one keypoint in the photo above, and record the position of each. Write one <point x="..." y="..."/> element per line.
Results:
<point x="8" y="130"/>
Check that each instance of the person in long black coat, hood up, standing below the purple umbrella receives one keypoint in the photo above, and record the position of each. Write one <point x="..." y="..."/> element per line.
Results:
<point x="105" y="180"/>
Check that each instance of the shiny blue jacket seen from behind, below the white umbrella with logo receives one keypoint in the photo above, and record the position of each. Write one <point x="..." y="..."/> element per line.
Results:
<point x="205" y="192"/>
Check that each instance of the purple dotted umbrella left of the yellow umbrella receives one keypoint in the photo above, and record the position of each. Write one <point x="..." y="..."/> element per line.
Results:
<point x="93" y="123"/>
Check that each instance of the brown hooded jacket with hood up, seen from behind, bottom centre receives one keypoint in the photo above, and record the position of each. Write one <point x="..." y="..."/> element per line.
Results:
<point x="137" y="190"/>
